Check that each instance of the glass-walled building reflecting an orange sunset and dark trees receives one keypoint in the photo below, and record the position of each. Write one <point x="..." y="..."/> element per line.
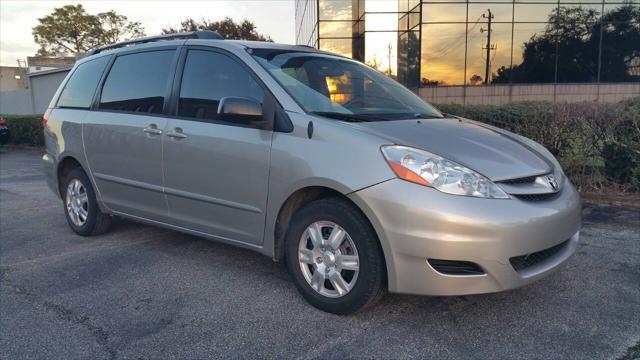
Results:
<point x="519" y="49"/>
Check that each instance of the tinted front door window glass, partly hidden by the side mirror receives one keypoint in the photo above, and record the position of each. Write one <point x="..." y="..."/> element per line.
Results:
<point x="208" y="77"/>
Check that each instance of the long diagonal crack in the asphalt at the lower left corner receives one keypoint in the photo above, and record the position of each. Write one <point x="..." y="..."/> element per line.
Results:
<point x="99" y="334"/>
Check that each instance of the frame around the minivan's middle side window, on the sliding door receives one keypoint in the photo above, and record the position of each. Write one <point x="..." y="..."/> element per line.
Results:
<point x="168" y="86"/>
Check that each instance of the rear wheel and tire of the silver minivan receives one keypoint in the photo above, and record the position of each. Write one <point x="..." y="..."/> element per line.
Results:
<point x="95" y="221"/>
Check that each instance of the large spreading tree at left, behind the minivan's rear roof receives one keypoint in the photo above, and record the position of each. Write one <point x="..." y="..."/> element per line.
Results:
<point x="69" y="29"/>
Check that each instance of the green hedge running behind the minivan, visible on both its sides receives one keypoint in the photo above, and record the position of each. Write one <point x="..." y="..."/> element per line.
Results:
<point x="598" y="145"/>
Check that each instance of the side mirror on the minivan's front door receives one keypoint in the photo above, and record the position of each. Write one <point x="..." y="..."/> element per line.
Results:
<point x="242" y="111"/>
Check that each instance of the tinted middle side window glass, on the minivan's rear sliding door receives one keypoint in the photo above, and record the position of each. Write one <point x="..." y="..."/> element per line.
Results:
<point x="137" y="82"/>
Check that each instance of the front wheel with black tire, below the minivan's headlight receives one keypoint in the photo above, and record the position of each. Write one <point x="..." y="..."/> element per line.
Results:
<point x="365" y="286"/>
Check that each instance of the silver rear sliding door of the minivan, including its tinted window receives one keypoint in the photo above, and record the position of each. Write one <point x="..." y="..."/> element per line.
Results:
<point x="123" y="139"/>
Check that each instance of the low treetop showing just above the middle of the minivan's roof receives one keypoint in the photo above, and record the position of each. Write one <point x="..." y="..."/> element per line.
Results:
<point x="227" y="28"/>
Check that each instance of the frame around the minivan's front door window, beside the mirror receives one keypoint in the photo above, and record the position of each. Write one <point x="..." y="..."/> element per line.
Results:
<point x="270" y="104"/>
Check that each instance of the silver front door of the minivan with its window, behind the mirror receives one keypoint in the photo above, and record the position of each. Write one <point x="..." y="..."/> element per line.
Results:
<point x="216" y="173"/>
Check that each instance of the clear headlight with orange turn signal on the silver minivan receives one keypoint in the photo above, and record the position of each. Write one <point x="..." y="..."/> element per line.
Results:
<point x="431" y="170"/>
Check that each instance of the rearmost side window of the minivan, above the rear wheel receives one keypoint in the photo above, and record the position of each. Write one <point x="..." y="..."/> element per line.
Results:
<point x="79" y="90"/>
